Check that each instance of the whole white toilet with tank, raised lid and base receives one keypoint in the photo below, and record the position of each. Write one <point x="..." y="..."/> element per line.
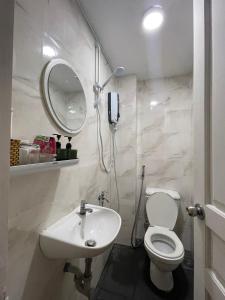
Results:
<point x="163" y="246"/>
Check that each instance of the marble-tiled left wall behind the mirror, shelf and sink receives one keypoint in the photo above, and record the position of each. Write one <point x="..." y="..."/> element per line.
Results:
<point x="38" y="200"/>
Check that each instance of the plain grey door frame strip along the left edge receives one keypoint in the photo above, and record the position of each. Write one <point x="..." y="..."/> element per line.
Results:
<point x="6" y="58"/>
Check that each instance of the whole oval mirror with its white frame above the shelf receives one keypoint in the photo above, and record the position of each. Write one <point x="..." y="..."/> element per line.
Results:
<point x="64" y="96"/>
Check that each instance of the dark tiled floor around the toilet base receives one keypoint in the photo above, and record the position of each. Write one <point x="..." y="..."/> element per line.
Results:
<point x="126" y="277"/>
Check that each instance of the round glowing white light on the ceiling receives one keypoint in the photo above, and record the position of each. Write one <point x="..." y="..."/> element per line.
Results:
<point x="153" y="18"/>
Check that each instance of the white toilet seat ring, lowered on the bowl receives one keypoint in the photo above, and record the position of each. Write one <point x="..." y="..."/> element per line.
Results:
<point x="164" y="243"/>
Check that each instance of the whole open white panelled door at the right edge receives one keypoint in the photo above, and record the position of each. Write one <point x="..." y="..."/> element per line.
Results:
<point x="209" y="96"/>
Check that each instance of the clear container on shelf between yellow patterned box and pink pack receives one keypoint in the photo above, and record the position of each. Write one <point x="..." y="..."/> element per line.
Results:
<point x="29" y="153"/>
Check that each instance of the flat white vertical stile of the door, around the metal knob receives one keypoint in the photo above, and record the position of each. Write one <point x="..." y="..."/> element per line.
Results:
<point x="202" y="99"/>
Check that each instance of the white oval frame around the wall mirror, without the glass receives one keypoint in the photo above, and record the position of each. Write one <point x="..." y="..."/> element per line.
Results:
<point x="45" y="79"/>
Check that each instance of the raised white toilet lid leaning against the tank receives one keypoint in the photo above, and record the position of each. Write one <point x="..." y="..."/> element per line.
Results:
<point x="162" y="210"/>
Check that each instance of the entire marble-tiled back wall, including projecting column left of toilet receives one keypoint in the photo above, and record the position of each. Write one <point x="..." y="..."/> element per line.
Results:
<point x="155" y="130"/>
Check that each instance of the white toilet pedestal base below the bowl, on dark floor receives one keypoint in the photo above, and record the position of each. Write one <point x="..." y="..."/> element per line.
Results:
<point x="162" y="280"/>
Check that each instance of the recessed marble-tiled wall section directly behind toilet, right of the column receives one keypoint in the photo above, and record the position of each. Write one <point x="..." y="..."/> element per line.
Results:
<point x="165" y="141"/>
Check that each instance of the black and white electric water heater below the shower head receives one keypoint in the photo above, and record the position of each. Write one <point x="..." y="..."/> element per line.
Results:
<point x="113" y="107"/>
